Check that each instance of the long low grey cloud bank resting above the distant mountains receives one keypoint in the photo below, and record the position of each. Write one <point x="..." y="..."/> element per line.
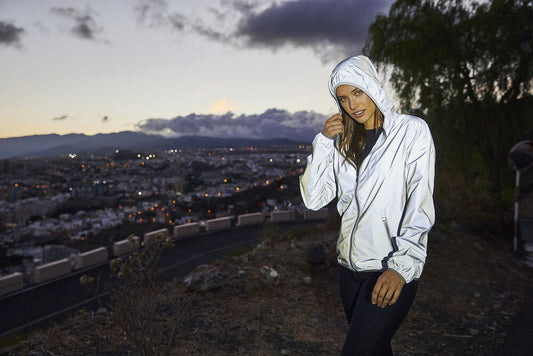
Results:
<point x="273" y="123"/>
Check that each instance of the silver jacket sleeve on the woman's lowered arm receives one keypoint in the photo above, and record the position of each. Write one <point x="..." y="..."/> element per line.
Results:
<point x="419" y="214"/>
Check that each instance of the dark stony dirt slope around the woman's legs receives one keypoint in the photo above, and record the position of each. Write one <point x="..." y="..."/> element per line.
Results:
<point x="468" y="298"/>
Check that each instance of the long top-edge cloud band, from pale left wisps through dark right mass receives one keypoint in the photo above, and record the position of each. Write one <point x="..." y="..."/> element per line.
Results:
<point x="324" y="26"/>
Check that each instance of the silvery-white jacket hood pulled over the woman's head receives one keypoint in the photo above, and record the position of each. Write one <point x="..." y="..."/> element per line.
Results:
<point x="360" y="72"/>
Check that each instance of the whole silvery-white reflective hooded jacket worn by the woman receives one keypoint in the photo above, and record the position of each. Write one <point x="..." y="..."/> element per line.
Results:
<point x="386" y="206"/>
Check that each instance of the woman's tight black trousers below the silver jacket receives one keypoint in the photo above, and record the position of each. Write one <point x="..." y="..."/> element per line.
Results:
<point x="371" y="327"/>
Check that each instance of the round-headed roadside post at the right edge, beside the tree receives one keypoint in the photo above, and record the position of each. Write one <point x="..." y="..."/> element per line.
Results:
<point x="520" y="159"/>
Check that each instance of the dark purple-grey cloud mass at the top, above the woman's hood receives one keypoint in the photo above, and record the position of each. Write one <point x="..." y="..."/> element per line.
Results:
<point x="340" y="24"/>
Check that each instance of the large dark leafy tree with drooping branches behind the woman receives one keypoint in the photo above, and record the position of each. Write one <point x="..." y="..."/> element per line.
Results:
<point x="466" y="66"/>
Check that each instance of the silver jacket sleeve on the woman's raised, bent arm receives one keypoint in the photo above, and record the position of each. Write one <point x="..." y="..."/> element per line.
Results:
<point x="317" y="184"/>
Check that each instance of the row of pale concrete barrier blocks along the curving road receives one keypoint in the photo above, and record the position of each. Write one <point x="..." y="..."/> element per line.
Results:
<point x="13" y="282"/>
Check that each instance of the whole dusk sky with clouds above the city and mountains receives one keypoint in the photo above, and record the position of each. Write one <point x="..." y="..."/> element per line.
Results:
<point x="235" y="68"/>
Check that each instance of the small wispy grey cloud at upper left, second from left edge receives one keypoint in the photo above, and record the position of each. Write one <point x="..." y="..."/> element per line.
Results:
<point x="84" y="25"/>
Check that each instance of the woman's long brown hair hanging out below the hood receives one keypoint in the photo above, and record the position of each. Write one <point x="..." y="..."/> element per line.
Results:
<point x="353" y="141"/>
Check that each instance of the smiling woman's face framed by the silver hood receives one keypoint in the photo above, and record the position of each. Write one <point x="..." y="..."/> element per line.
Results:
<point x="357" y="105"/>
